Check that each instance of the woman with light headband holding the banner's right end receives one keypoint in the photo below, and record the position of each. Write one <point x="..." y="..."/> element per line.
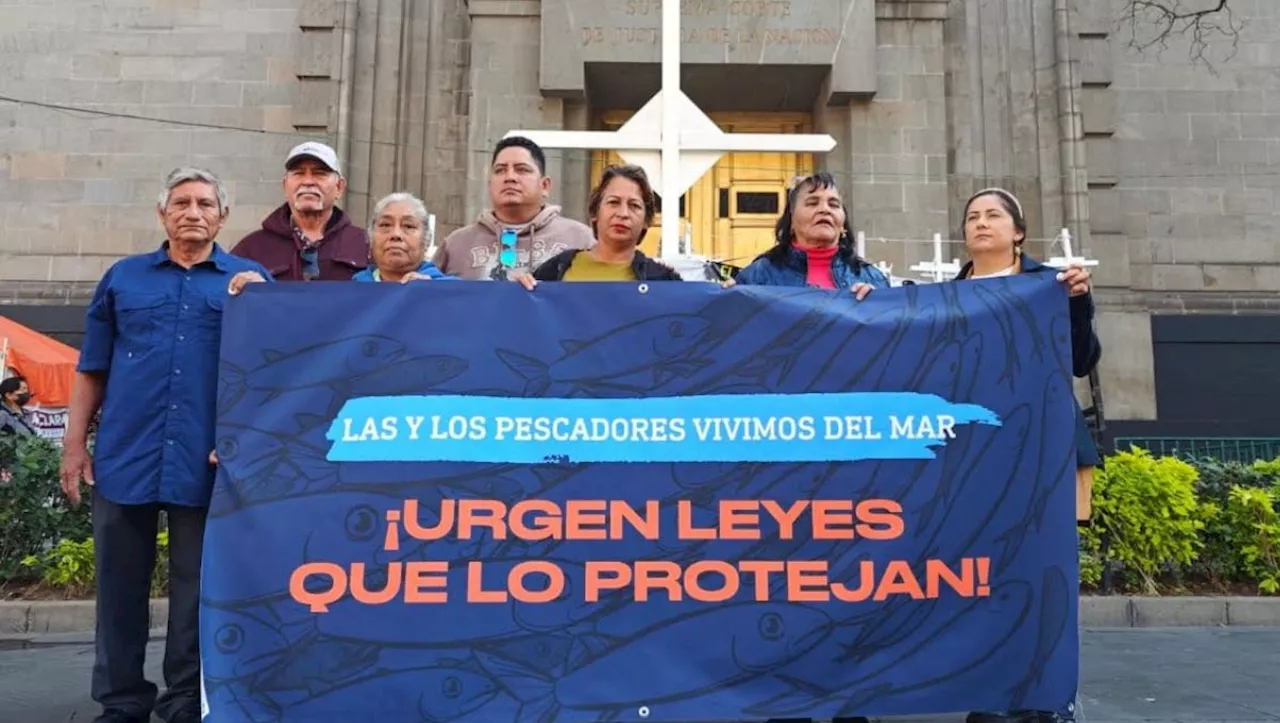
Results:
<point x="995" y="230"/>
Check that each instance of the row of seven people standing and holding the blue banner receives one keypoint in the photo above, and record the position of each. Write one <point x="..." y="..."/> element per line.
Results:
<point x="150" y="354"/>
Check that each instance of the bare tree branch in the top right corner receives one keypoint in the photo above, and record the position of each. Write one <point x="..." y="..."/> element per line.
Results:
<point x="1154" y="22"/>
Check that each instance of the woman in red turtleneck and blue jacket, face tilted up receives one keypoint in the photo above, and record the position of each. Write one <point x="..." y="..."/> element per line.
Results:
<point x="815" y="245"/>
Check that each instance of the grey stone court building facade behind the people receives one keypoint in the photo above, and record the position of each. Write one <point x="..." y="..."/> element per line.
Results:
<point x="1163" y="170"/>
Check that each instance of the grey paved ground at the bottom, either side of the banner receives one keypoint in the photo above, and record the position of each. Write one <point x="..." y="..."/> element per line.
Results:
<point x="1153" y="675"/>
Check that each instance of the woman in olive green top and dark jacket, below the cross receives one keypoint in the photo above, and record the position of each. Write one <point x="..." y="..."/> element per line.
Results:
<point x="623" y="208"/>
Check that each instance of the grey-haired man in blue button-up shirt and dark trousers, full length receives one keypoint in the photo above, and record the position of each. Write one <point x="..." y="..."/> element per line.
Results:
<point x="149" y="361"/>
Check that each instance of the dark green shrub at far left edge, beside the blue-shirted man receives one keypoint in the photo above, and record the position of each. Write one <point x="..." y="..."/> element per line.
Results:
<point x="35" y="516"/>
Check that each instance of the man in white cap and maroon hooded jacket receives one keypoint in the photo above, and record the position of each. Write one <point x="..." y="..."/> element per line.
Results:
<point x="309" y="237"/>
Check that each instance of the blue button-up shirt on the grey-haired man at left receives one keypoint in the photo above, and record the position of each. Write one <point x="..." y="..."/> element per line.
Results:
<point x="156" y="328"/>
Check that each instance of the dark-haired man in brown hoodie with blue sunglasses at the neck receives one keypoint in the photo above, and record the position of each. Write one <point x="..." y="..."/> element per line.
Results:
<point x="534" y="230"/>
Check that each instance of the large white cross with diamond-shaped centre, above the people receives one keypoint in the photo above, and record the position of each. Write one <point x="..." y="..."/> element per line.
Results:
<point x="673" y="140"/>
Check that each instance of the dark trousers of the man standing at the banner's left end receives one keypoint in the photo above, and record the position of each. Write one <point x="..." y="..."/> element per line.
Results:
<point x="125" y="552"/>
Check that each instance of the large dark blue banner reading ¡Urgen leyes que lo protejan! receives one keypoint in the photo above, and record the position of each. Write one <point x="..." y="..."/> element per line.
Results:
<point x="625" y="502"/>
